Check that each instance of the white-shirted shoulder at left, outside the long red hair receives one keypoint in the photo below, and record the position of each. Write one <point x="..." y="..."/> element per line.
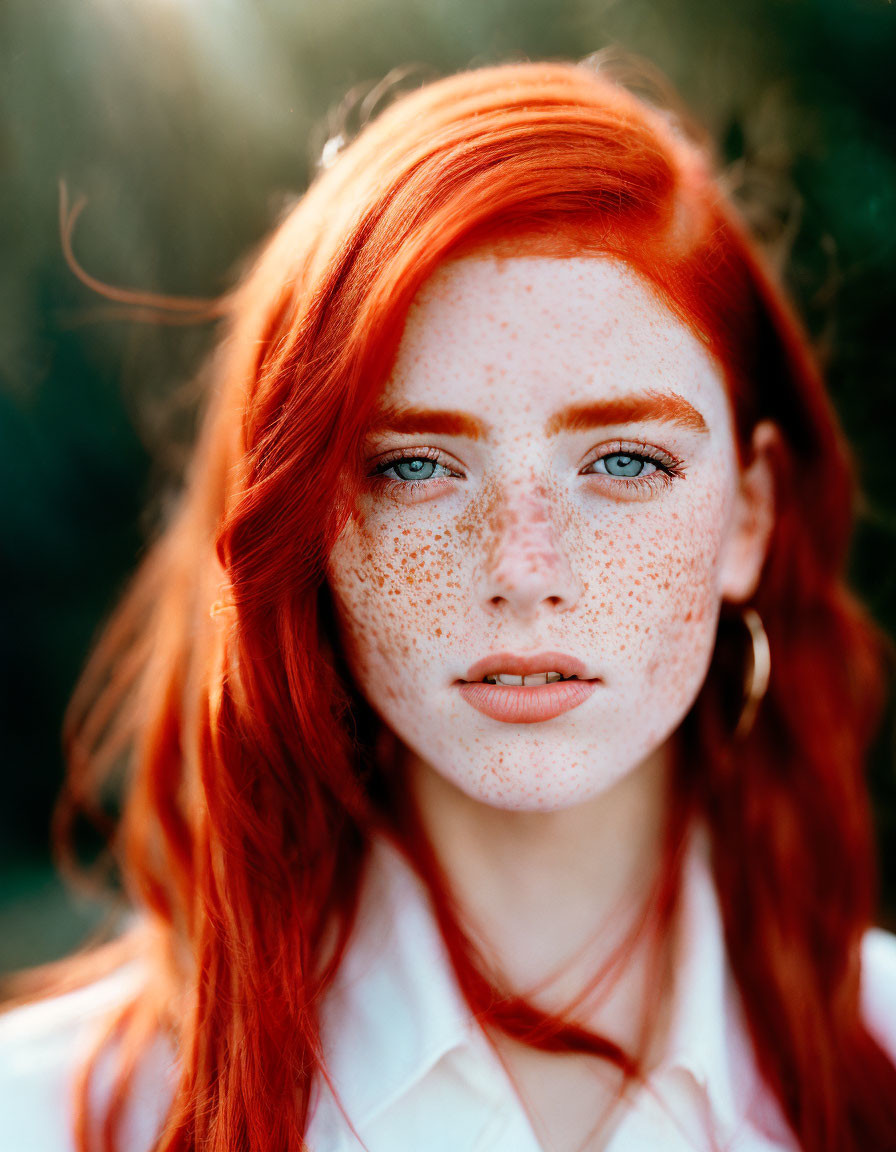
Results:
<point x="42" y="1047"/>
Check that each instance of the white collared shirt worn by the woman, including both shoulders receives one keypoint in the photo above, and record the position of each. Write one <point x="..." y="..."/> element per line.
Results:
<point x="412" y="1068"/>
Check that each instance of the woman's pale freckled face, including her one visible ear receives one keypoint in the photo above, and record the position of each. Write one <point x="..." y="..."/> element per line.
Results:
<point x="552" y="488"/>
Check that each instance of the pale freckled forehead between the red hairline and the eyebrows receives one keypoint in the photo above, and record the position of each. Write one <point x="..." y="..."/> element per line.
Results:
<point x="522" y="334"/>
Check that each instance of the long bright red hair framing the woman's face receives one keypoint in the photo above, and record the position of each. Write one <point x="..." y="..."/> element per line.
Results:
<point x="253" y="789"/>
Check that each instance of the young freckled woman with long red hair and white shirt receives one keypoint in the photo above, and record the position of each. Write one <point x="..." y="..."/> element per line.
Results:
<point x="491" y="715"/>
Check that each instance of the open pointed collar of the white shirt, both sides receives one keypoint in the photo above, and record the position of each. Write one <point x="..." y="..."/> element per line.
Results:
<point x="396" y="1009"/>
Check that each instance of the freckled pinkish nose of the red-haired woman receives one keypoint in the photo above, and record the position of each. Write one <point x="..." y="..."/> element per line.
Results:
<point x="527" y="564"/>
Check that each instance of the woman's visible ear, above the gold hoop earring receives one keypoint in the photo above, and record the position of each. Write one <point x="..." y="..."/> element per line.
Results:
<point x="753" y="518"/>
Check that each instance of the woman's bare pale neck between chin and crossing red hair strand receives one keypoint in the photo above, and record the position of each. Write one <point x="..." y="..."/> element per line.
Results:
<point x="549" y="896"/>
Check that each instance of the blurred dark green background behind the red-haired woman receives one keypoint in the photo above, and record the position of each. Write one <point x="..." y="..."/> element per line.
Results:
<point x="188" y="125"/>
